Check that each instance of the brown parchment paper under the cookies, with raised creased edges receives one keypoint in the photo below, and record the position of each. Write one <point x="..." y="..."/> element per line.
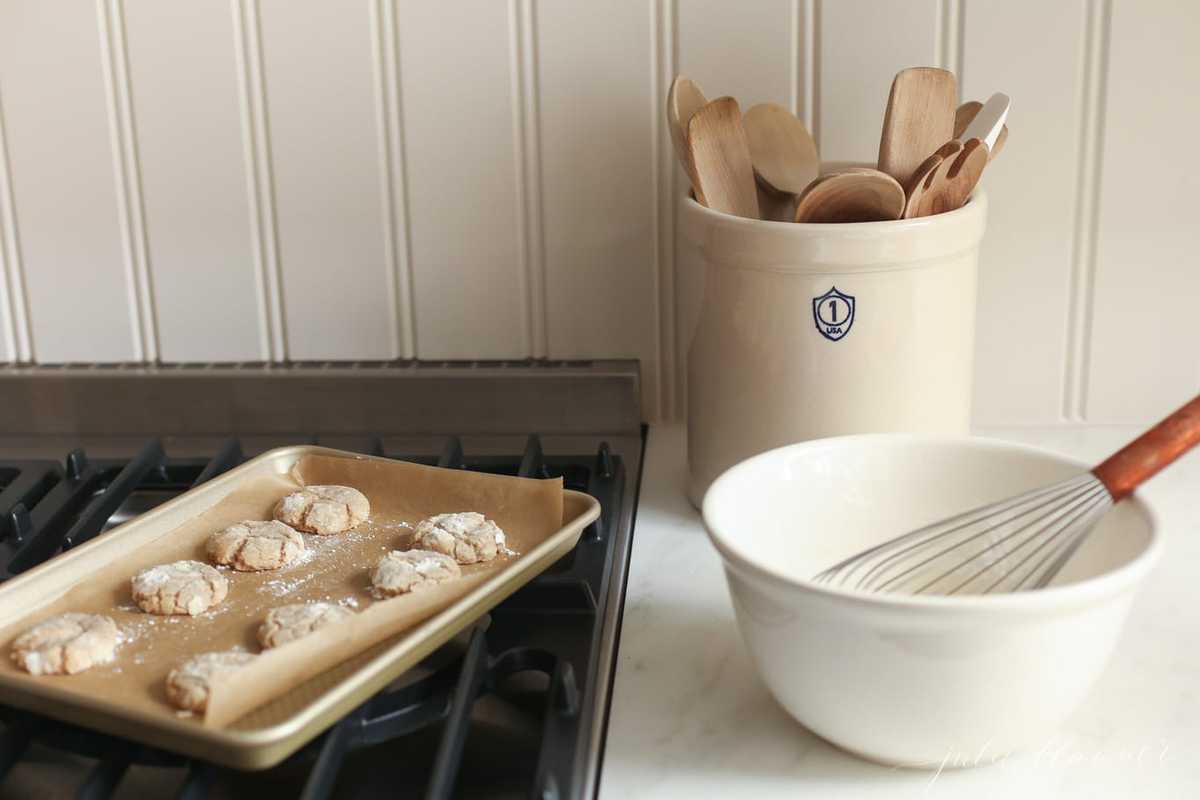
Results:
<point x="337" y="569"/>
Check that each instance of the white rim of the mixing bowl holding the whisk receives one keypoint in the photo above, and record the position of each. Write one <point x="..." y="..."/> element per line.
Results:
<point x="1067" y="596"/>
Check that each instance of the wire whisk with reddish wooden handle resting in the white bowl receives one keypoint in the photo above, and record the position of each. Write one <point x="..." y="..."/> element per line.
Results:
<point x="1023" y="543"/>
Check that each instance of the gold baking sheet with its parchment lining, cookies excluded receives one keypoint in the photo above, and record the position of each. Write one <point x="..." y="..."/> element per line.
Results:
<point x="290" y="695"/>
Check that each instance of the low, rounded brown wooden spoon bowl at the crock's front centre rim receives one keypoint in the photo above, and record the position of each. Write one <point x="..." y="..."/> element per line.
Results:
<point x="854" y="195"/>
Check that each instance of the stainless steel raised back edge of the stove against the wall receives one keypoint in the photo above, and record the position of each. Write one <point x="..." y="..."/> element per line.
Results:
<point x="386" y="398"/>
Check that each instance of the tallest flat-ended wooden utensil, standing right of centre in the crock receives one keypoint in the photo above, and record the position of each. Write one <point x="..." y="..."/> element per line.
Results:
<point x="919" y="121"/>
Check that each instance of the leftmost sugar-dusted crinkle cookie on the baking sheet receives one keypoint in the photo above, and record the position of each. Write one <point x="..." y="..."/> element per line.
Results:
<point x="67" y="645"/>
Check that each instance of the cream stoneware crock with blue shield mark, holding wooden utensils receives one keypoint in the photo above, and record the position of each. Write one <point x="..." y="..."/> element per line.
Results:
<point x="818" y="330"/>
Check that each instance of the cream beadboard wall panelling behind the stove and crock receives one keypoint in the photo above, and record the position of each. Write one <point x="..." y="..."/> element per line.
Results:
<point x="196" y="181"/>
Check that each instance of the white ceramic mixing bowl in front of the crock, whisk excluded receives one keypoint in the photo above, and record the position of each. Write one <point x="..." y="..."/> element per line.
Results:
<point x="920" y="682"/>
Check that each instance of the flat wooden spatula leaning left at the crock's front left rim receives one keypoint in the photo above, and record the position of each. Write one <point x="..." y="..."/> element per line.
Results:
<point x="719" y="157"/>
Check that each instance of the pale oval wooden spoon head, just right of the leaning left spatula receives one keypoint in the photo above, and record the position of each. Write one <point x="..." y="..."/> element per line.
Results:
<point x="783" y="152"/>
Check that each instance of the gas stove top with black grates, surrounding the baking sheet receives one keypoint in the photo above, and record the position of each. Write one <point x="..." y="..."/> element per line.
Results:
<point x="515" y="707"/>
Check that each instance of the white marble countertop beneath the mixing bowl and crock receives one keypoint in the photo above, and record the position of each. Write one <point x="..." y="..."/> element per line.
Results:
<point x="691" y="719"/>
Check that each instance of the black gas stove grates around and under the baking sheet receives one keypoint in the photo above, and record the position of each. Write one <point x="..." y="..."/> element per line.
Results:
<point x="548" y="630"/>
